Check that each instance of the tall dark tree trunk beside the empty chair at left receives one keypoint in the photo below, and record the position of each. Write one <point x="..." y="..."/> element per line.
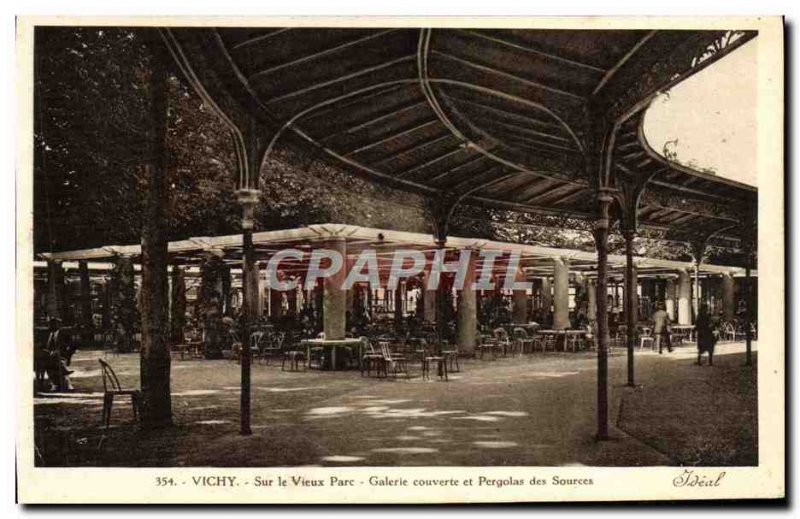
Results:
<point x="156" y="408"/>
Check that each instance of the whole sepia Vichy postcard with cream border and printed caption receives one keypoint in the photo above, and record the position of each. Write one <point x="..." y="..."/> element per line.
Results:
<point x="400" y="260"/>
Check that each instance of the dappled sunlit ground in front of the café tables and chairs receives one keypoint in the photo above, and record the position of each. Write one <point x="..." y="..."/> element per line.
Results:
<point x="533" y="410"/>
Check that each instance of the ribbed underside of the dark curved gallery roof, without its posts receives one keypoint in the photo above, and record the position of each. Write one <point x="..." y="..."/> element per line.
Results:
<point x="501" y="115"/>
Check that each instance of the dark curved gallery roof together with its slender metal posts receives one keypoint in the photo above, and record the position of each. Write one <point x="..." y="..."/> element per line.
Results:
<point x="546" y="122"/>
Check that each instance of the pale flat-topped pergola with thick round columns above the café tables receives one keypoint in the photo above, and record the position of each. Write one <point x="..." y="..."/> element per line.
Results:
<point x="534" y="262"/>
